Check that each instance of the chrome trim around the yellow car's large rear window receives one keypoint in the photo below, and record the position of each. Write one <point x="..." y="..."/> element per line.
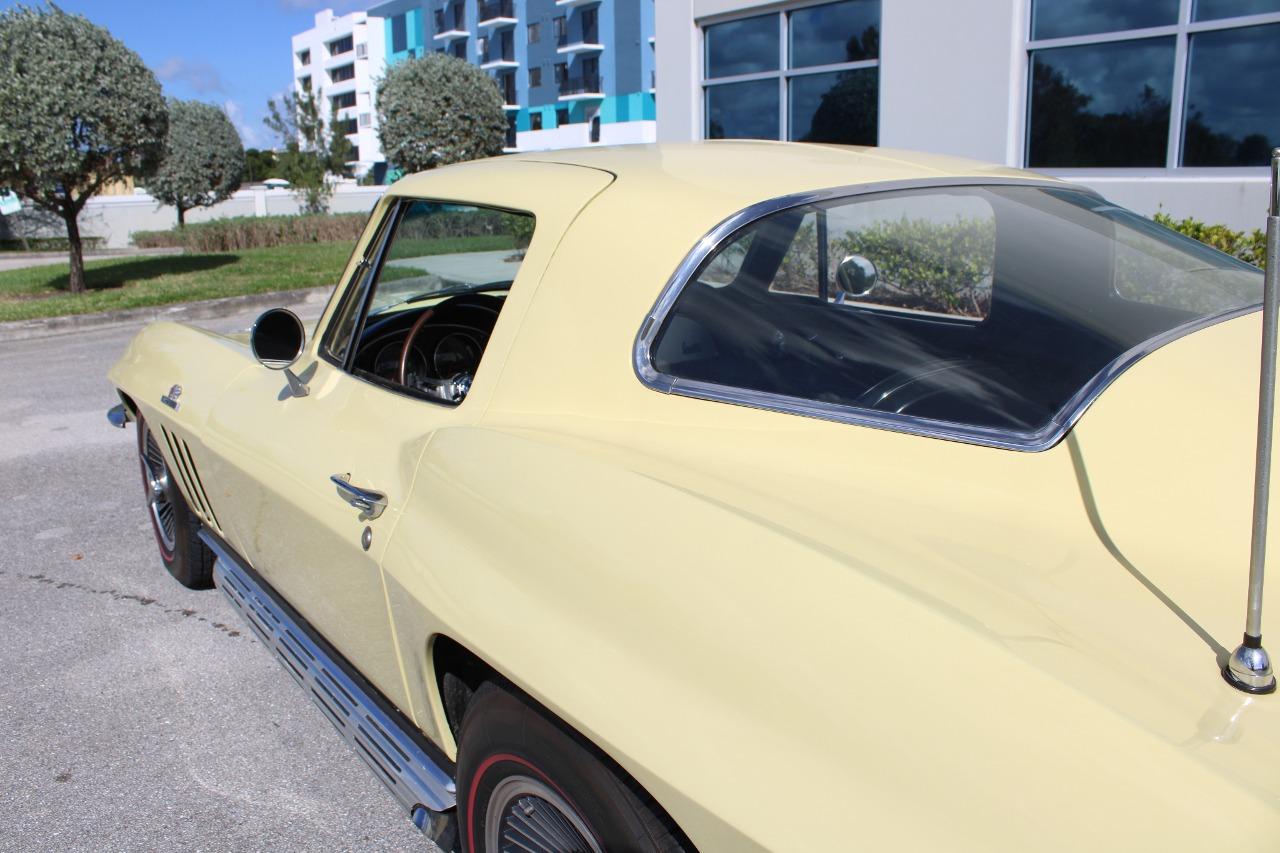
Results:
<point x="1026" y="441"/>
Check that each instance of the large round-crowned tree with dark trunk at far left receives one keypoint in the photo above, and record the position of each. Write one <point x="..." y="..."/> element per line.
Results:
<point x="79" y="111"/>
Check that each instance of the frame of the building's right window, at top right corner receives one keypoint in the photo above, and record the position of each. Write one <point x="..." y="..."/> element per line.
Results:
<point x="1183" y="31"/>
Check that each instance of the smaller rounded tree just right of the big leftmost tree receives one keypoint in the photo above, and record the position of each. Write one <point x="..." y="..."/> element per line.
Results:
<point x="204" y="159"/>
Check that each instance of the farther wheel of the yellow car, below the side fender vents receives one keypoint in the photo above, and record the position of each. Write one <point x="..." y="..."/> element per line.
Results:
<point x="177" y="528"/>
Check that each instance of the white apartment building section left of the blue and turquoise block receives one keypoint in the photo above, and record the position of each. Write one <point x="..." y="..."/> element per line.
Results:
<point x="339" y="61"/>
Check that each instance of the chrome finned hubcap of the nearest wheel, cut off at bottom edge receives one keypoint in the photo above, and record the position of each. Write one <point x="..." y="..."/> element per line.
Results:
<point x="527" y="815"/>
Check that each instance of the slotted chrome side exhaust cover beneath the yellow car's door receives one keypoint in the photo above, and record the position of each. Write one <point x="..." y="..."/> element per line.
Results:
<point x="397" y="760"/>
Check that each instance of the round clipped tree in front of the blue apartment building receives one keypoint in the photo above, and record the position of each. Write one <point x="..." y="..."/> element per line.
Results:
<point x="438" y="110"/>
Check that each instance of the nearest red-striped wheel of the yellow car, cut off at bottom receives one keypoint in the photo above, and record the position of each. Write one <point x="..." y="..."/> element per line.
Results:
<point x="528" y="784"/>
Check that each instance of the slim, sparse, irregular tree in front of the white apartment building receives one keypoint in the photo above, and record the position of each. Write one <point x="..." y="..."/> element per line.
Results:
<point x="313" y="148"/>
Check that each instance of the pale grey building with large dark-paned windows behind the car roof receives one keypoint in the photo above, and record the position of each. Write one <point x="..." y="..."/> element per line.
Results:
<point x="1158" y="104"/>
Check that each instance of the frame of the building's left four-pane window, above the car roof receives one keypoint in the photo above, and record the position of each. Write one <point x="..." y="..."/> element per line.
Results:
<point x="784" y="74"/>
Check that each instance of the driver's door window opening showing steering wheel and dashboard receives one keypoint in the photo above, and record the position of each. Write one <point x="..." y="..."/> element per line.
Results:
<point x="433" y="286"/>
